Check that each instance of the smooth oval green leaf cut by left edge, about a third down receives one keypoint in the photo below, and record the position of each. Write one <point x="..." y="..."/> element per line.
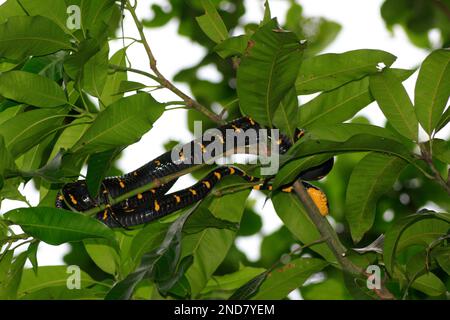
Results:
<point x="31" y="89"/>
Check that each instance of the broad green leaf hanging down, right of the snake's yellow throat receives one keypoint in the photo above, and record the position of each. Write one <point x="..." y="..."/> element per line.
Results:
<point x="373" y="176"/>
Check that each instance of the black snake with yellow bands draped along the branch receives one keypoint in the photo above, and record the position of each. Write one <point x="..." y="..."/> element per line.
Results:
<point x="155" y="203"/>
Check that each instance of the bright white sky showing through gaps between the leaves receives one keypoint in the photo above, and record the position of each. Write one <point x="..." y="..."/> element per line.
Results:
<point x="362" y="27"/>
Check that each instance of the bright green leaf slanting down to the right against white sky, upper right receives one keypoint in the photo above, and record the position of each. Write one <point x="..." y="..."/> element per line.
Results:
<point x="395" y="103"/>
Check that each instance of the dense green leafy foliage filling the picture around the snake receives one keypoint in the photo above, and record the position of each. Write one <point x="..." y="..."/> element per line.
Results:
<point x="63" y="105"/>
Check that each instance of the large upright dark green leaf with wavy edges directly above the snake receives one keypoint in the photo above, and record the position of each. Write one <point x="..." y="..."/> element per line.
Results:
<point x="268" y="71"/>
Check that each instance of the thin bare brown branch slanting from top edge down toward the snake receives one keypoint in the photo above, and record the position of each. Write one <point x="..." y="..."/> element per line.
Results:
<point x="160" y="77"/>
